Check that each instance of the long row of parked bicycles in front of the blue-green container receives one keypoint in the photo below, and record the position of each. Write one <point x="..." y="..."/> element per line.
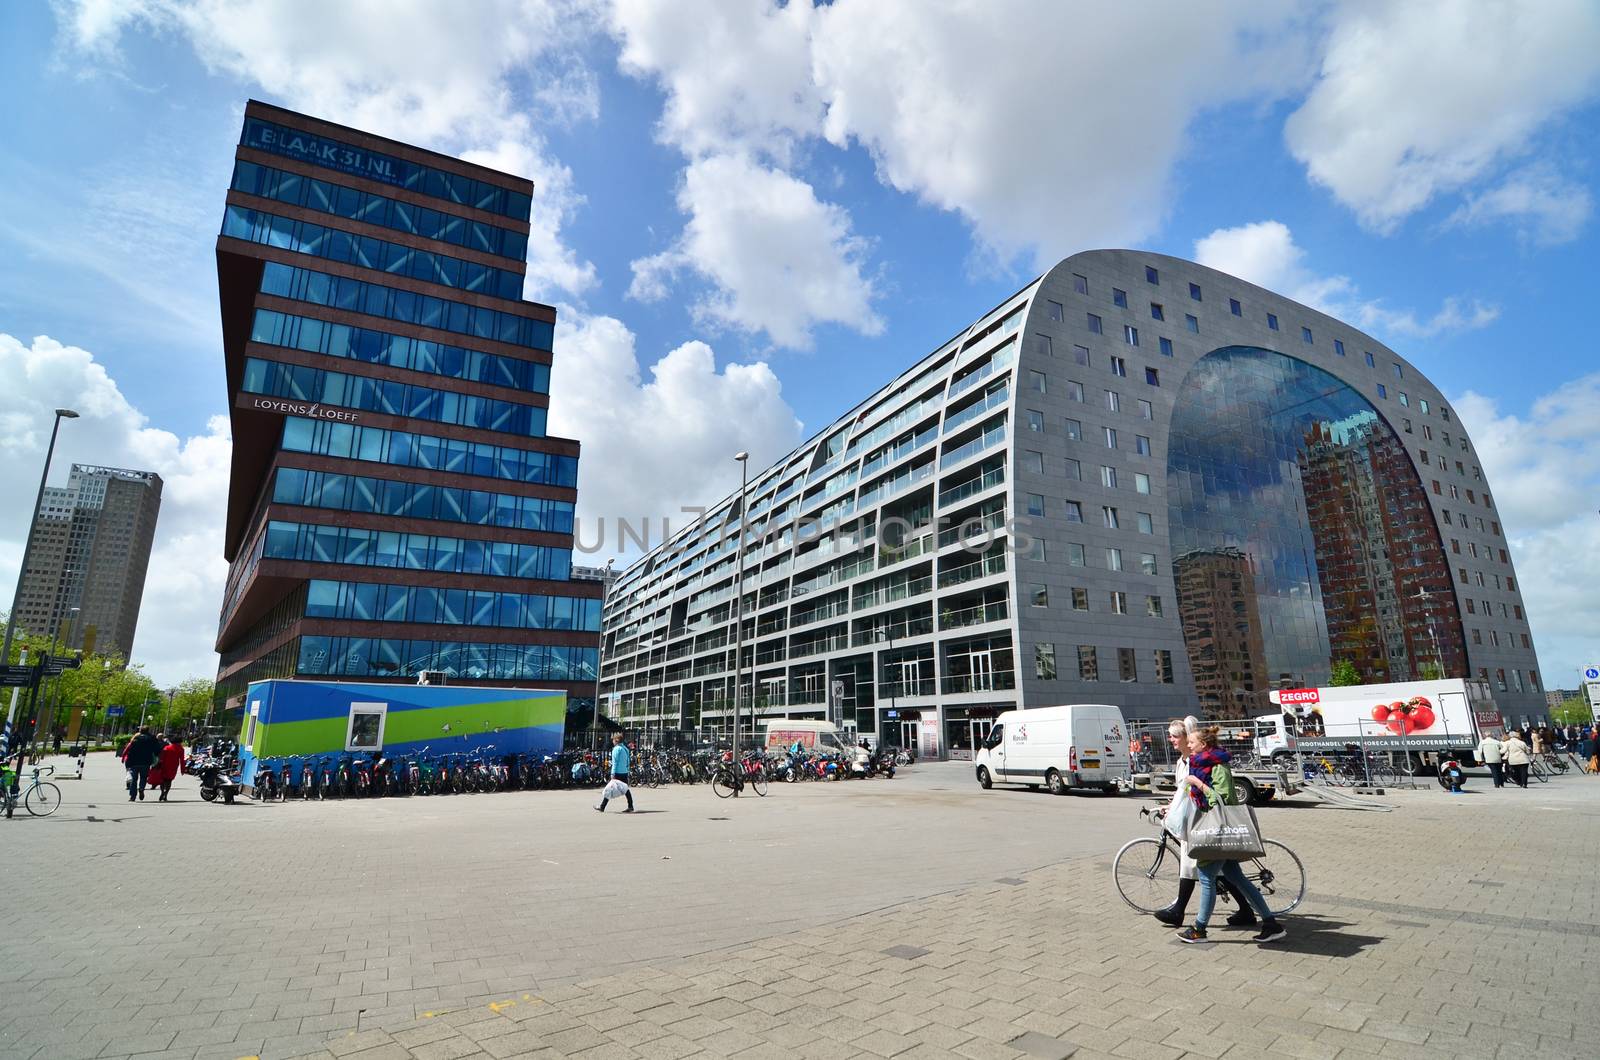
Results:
<point x="348" y="776"/>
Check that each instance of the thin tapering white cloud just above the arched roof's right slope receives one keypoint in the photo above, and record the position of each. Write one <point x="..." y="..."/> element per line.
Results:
<point x="1266" y="254"/>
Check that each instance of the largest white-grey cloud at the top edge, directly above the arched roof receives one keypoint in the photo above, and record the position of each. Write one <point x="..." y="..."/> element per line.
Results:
<point x="1049" y="127"/>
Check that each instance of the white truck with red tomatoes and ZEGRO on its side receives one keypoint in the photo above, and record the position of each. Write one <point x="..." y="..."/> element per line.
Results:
<point x="1433" y="720"/>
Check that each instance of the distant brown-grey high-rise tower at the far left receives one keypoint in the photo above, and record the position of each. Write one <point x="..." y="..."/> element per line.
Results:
<point x="92" y="552"/>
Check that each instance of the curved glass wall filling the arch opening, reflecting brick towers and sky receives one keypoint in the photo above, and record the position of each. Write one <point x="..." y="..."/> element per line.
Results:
<point x="1302" y="536"/>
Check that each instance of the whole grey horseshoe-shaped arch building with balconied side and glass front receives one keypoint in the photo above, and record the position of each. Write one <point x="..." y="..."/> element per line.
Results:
<point x="1138" y="481"/>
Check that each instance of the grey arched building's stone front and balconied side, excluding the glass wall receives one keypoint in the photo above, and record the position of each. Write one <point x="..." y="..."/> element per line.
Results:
<point x="670" y="627"/>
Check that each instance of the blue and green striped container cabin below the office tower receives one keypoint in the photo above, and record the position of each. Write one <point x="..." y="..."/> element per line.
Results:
<point x="302" y="718"/>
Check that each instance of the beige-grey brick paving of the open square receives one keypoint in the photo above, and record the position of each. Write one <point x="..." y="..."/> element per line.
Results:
<point x="919" y="918"/>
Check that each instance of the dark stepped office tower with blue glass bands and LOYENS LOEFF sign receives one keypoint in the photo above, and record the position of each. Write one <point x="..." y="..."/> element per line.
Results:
<point x="396" y="504"/>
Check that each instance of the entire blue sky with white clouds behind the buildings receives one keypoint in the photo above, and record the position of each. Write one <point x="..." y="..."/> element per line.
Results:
<point x="758" y="217"/>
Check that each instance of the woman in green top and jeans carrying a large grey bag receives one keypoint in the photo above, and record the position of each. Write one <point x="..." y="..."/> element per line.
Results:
<point x="1222" y="837"/>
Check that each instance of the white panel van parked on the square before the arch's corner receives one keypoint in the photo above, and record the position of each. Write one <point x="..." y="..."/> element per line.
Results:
<point x="1081" y="745"/>
